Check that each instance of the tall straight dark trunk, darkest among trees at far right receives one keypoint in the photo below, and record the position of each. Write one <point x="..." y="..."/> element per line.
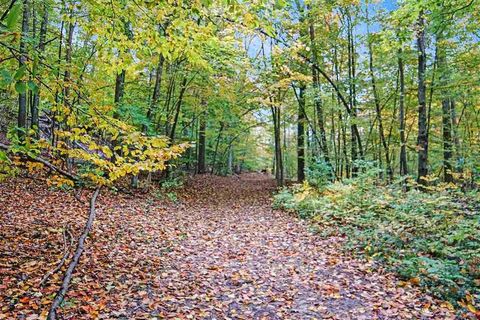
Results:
<point x="422" y="138"/>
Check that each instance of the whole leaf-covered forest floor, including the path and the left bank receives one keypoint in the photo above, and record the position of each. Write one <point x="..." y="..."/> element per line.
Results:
<point x="219" y="252"/>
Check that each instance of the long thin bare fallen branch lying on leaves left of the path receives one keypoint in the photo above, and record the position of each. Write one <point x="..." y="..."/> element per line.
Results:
<point x="52" y="314"/>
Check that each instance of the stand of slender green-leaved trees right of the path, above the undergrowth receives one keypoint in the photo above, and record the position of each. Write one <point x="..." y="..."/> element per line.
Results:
<point x="362" y="99"/>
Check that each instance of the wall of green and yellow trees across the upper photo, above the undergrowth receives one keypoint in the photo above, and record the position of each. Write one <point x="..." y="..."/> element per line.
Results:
<point x="394" y="84"/>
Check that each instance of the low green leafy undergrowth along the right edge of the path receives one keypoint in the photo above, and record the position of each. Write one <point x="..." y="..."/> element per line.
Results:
<point x="429" y="237"/>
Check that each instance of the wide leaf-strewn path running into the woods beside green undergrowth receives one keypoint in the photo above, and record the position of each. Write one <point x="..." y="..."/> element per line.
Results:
<point x="239" y="259"/>
